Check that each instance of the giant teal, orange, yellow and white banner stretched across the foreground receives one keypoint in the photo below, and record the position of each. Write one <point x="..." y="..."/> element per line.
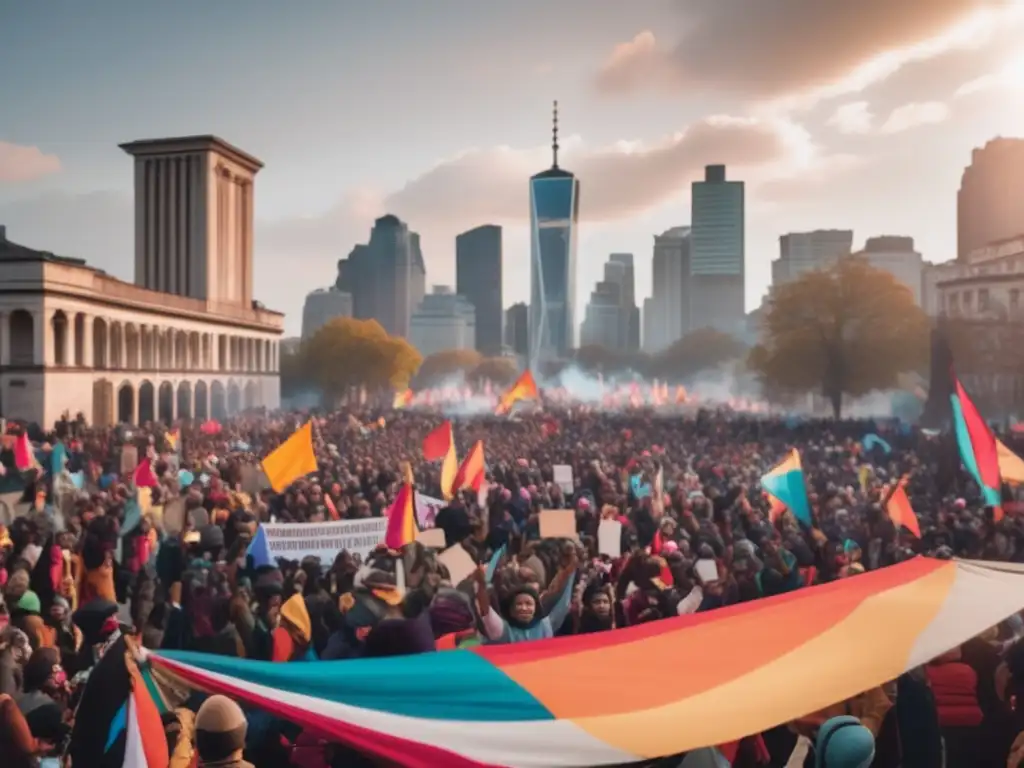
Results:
<point x="562" y="703"/>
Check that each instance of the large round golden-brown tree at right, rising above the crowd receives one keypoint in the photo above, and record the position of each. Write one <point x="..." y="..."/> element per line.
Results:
<point x="847" y="330"/>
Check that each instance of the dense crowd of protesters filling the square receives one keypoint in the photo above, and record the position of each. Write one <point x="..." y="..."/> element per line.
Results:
<point x="78" y="572"/>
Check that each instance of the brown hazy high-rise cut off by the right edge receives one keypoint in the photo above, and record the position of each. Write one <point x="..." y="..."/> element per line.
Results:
<point x="991" y="201"/>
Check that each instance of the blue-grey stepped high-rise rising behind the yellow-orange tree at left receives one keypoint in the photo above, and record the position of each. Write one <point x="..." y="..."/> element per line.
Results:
<point x="388" y="277"/>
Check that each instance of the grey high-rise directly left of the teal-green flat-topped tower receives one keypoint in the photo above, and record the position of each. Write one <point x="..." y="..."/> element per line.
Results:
<point x="669" y="312"/>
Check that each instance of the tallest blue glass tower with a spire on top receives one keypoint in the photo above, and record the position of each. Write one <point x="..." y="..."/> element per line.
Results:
<point x="554" y="212"/>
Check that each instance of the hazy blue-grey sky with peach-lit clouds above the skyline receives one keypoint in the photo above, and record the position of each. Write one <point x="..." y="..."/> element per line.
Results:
<point x="837" y="115"/>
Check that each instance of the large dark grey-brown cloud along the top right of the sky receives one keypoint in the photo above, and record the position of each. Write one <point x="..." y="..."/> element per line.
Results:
<point x="806" y="49"/>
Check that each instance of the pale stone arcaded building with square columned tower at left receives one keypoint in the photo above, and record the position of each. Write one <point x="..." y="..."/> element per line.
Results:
<point x="186" y="340"/>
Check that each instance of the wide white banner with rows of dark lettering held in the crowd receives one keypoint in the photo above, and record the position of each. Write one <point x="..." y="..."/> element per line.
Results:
<point x="325" y="540"/>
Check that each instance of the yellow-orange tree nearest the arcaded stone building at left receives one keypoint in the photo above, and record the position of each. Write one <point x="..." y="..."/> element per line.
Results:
<point x="349" y="353"/>
